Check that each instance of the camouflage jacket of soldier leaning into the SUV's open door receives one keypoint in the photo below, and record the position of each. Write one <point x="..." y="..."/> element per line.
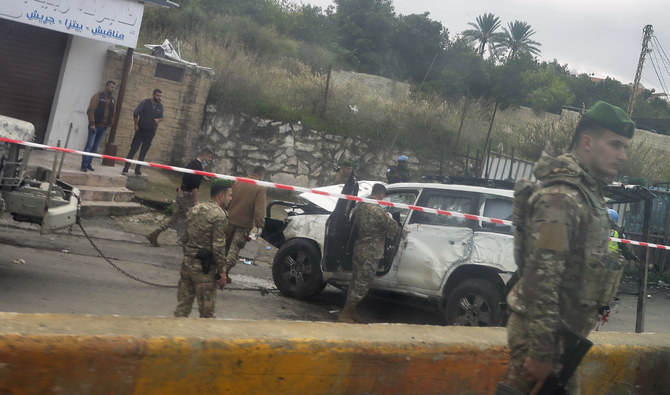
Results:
<point x="374" y="225"/>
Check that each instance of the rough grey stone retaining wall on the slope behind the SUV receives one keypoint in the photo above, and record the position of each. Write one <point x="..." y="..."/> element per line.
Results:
<point x="291" y="153"/>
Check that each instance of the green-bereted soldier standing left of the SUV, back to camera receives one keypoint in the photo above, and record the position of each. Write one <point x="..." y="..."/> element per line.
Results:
<point x="205" y="227"/>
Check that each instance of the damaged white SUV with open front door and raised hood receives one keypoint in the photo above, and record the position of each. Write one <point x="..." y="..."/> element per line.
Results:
<point x="462" y="263"/>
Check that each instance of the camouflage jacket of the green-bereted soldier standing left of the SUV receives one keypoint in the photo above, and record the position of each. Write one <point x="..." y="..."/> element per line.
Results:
<point x="204" y="222"/>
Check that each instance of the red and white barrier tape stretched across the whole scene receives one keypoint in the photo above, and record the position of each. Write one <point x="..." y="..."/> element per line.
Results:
<point x="299" y="189"/>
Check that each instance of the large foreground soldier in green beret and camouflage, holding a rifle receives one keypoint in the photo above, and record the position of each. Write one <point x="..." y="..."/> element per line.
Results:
<point x="566" y="271"/>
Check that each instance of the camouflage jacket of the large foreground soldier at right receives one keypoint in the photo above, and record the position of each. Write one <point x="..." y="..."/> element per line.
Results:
<point x="566" y="237"/>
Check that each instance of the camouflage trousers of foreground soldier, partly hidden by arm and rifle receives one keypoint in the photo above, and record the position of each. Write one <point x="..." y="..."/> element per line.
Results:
<point x="517" y="376"/>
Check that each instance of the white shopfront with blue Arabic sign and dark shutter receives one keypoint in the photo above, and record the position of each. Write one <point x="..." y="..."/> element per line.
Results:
<point x="53" y="59"/>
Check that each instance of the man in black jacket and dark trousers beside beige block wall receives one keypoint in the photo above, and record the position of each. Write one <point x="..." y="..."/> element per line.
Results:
<point x="147" y="116"/>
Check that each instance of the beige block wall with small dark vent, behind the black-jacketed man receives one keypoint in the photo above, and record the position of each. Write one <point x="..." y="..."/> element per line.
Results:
<point x="177" y="136"/>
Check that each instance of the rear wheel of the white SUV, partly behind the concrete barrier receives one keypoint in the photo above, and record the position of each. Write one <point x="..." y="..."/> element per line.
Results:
<point x="474" y="303"/>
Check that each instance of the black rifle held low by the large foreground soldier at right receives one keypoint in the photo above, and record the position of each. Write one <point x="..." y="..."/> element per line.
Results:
<point x="575" y="348"/>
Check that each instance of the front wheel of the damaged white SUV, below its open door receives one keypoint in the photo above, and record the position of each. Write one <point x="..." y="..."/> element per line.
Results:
<point x="296" y="269"/>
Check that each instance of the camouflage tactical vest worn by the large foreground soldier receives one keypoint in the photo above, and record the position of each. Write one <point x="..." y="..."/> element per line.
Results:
<point x="592" y="273"/>
